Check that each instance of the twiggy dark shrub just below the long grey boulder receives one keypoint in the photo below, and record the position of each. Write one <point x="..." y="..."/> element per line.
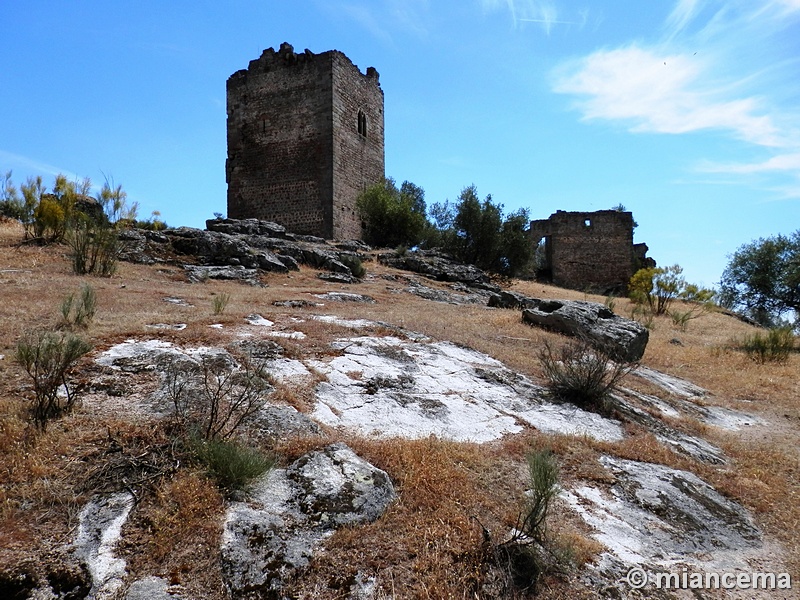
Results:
<point x="582" y="375"/>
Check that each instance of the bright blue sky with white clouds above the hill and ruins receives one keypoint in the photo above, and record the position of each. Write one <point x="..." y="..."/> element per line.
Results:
<point x="685" y="111"/>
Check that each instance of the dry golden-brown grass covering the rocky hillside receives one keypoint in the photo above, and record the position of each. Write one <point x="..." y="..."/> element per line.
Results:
<point x="429" y="544"/>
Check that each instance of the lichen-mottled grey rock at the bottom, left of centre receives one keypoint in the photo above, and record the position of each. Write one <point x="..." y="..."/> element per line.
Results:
<point x="270" y="538"/>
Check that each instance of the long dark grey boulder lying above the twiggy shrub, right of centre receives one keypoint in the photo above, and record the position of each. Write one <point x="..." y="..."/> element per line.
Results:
<point x="620" y="338"/>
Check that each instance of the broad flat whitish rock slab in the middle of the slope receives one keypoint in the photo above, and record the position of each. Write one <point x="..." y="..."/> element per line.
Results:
<point x="417" y="389"/>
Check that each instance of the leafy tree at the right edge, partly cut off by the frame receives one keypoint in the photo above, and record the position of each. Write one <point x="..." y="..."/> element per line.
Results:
<point x="763" y="279"/>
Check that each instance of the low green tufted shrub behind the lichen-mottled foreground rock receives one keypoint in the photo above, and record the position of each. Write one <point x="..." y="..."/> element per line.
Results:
<point x="233" y="464"/>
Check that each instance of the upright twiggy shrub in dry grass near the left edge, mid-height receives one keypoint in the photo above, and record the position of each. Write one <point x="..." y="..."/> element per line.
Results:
<point x="49" y="357"/>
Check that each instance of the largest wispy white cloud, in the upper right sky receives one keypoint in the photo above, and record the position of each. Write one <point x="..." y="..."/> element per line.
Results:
<point x="666" y="86"/>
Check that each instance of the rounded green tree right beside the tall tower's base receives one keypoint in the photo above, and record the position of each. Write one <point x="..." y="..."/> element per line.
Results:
<point x="391" y="216"/>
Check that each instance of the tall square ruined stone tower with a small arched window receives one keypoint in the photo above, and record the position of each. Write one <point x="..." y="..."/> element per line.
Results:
<point x="305" y="137"/>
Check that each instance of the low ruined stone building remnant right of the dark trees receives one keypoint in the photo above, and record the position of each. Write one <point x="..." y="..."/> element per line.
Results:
<point x="588" y="250"/>
